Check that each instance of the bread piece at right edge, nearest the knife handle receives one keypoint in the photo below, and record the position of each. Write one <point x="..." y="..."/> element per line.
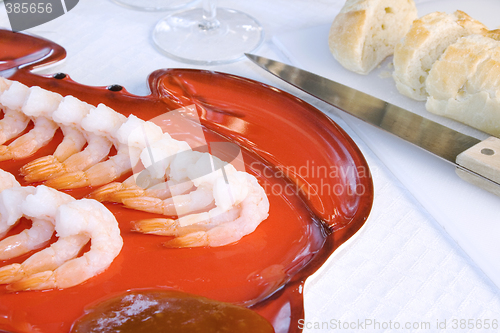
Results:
<point x="464" y="84"/>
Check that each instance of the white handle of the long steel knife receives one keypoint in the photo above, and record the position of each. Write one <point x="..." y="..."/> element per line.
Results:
<point x="483" y="159"/>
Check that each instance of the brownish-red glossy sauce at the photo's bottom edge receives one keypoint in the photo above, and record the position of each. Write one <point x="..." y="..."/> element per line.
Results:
<point x="169" y="311"/>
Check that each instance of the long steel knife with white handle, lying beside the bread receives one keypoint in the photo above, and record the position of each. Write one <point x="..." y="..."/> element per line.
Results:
<point x="476" y="161"/>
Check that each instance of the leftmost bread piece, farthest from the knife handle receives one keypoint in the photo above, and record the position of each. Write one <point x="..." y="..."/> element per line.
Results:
<point x="365" y="31"/>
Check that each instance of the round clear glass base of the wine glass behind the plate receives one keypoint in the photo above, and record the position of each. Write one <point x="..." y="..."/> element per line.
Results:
<point x="207" y="35"/>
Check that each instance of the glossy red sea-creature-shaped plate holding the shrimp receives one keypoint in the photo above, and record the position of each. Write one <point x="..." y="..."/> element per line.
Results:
<point x="317" y="181"/>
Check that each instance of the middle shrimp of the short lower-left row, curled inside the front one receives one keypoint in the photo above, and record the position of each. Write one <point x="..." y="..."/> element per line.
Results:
<point x="40" y="207"/>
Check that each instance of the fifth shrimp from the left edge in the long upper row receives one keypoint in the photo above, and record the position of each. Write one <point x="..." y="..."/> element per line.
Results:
<point x="132" y="136"/>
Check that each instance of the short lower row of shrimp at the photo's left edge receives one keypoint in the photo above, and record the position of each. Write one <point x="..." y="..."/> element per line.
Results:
<point x="75" y="222"/>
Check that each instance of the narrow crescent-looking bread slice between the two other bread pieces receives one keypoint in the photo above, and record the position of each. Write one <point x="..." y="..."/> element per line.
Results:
<point x="424" y="43"/>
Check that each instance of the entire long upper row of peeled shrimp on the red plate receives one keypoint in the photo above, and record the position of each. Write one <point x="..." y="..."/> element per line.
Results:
<point x="205" y="201"/>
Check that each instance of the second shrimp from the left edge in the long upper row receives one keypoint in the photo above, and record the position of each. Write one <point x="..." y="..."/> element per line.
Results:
<point x="38" y="106"/>
